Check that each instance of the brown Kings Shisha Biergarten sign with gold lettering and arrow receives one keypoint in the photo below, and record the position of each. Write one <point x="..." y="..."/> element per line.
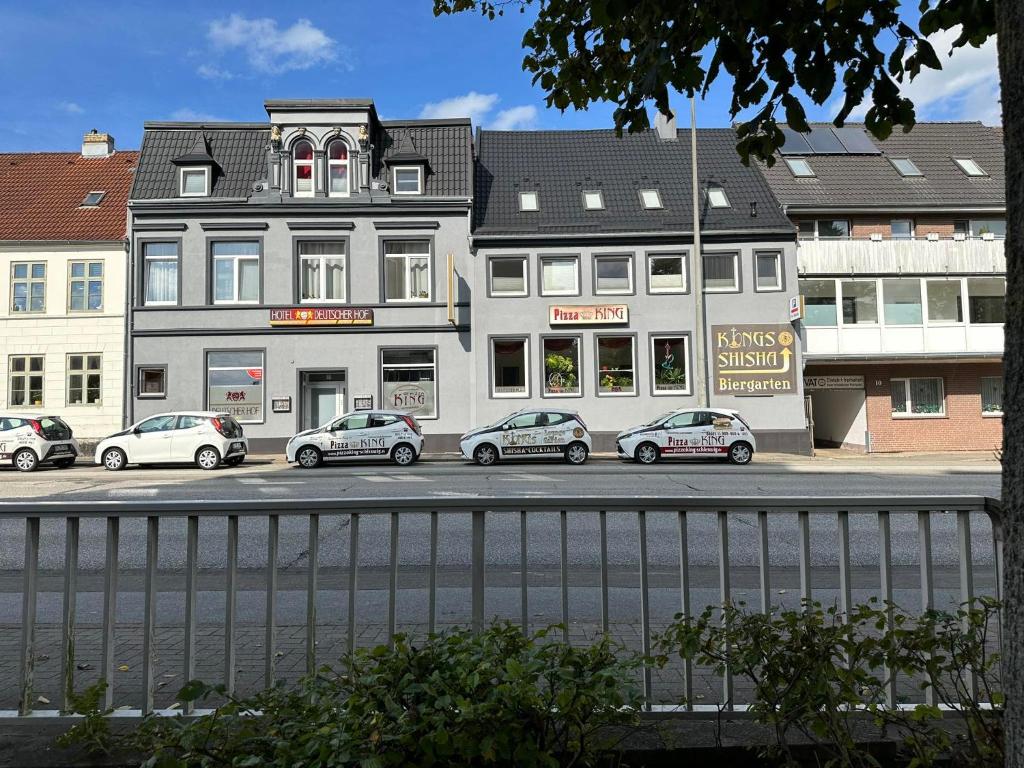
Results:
<point x="754" y="360"/>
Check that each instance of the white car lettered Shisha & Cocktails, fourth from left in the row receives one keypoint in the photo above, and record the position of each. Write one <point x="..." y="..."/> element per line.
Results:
<point x="532" y="434"/>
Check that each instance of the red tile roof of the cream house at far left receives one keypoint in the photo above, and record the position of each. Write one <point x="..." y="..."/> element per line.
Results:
<point x="41" y="196"/>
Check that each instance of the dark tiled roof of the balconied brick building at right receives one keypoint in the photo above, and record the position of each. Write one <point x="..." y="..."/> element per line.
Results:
<point x="872" y="182"/>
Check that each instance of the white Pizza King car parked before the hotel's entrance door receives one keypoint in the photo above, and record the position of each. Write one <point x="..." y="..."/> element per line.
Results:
<point x="362" y="435"/>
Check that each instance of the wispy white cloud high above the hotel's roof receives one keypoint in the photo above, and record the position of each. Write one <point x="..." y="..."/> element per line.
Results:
<point x="271" y="50"/>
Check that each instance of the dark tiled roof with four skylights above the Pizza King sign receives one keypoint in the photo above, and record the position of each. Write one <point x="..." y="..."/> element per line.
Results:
<point x="561" y="165"/>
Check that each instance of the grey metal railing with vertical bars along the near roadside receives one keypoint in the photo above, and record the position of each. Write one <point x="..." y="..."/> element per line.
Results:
<point x="714" y="516"/>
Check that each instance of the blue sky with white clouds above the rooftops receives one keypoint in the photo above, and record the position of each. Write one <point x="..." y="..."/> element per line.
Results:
<point x="69" y="68"/>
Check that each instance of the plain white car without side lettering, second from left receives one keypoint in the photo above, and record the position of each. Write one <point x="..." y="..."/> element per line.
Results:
<point x="207" y="439"/>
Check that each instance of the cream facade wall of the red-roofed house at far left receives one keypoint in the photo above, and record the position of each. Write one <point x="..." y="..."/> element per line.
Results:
<point x="58" y="333"/>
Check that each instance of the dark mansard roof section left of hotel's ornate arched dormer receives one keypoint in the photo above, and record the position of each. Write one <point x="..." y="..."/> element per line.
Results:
<point x="239" y="152"/>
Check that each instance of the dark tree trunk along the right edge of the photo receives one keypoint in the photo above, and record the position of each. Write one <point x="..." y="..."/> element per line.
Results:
<point x="1010" y="26"/>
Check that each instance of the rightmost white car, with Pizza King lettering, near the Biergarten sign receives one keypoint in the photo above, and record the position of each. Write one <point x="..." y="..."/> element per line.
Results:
<point x="690" y="434"/>
